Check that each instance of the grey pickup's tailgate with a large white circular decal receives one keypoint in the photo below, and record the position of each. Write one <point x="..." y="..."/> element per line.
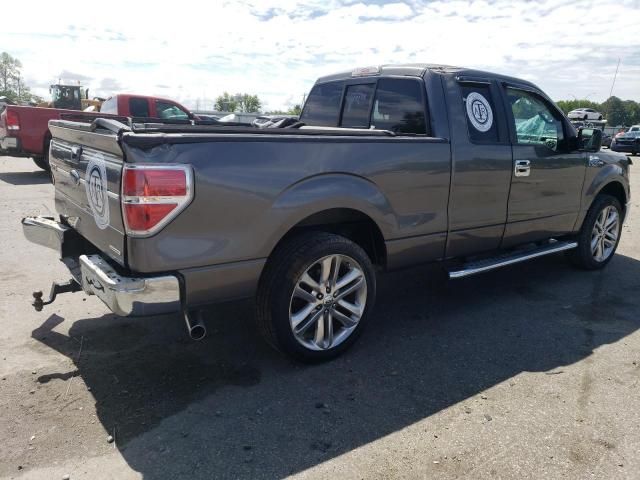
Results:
<point x="86" y="168"/>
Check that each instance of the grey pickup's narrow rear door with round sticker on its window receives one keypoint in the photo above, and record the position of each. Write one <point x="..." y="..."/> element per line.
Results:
<point x="481" y="160"/>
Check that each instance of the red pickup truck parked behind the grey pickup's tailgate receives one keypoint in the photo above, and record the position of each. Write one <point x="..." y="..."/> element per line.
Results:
<point x="24" y="131"/>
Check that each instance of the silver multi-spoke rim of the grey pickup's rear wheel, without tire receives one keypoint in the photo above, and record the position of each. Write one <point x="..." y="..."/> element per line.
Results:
<point x="328" y="302"/>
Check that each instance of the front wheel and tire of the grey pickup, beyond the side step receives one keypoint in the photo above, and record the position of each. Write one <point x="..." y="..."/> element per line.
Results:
<point x="600" y="234"/>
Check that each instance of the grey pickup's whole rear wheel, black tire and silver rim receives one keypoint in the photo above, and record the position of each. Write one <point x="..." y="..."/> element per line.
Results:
<point x="315" y="296"/>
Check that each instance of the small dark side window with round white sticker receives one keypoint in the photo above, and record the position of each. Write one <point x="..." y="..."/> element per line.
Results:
<point x="480" y="112"/>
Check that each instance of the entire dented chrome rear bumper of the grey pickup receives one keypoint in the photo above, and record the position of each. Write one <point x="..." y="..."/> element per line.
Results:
<point x="124" y="295"/>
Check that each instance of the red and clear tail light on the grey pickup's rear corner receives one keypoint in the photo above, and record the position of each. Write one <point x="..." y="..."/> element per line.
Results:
<point x="153" y="195"/>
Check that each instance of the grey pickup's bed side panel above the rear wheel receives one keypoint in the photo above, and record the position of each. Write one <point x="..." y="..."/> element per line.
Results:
<point x="272" y="183"/>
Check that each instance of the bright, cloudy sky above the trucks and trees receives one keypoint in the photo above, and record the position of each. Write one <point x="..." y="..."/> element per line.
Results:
<point x="194" y="51"/>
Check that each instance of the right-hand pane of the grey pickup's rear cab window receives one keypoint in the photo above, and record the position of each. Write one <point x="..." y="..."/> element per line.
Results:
<point x="398" y="107"/>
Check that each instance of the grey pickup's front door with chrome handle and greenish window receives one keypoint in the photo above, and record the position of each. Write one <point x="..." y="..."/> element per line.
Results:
<point x="547" y="175"/>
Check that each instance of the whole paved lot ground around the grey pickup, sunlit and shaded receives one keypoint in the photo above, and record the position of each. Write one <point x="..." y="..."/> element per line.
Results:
<point x="531" y="371"/>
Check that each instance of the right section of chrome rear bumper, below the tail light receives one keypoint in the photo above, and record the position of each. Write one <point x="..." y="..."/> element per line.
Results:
<point x="129" y="296"/>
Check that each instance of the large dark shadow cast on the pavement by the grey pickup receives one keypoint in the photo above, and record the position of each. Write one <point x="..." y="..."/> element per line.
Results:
<point x="229" y="407"/>
